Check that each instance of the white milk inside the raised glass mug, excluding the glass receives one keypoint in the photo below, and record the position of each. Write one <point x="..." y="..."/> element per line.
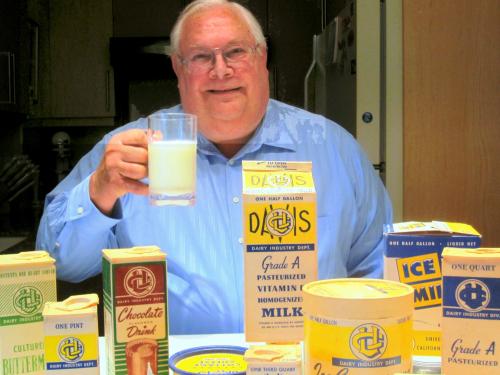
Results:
<point x="172" y="167"/>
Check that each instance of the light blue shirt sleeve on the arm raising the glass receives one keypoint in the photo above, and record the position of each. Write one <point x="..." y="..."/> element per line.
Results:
<point x="72" y="229"/>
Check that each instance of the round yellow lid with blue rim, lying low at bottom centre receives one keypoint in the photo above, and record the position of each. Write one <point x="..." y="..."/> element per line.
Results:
<point x="214" y="359"/>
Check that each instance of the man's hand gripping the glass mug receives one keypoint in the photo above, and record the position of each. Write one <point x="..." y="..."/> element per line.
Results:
<point x="124" y="163"/>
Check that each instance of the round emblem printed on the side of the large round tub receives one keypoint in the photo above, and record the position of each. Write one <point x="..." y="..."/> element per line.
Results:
<point x="368" y="341"/>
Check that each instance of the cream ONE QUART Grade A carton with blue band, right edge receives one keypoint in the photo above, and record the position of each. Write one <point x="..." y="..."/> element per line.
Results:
<point x="471" y="311"/>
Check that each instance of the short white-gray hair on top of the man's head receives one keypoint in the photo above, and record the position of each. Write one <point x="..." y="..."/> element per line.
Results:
<point x="199" y="5"/>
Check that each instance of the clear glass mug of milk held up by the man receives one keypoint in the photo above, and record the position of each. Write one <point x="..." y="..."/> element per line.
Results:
<point x="172" y="158"/>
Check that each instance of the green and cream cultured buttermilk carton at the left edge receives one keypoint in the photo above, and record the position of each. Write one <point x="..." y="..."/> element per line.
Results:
<point x="27" y="281"/>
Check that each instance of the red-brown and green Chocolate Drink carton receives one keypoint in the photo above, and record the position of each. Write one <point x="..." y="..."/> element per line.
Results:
<point x="135" y="310"/>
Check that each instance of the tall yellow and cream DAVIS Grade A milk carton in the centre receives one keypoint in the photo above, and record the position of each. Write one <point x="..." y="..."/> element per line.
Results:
<point x="279" y="224"/>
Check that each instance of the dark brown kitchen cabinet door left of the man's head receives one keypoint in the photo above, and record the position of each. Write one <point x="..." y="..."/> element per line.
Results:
<point x="78" y="78"/>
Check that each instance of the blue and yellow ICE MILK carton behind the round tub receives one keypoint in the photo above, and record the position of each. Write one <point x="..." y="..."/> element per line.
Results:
<point x="413" y="256"/>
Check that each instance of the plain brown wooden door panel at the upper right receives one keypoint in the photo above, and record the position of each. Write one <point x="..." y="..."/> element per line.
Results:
<point x="451" y="113"/>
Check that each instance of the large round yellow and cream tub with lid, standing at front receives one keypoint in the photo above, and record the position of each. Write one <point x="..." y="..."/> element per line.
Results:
<point x="357" y="326"/>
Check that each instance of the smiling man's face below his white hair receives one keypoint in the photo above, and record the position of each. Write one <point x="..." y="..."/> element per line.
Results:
<point x="229" y="101"/>
